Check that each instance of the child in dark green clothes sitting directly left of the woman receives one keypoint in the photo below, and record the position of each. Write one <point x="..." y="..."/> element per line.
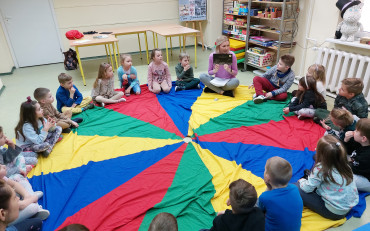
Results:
<point x="185" y="75"/>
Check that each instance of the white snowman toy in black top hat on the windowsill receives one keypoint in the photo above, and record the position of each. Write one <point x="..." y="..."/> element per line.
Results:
<point x="351" y="14"/>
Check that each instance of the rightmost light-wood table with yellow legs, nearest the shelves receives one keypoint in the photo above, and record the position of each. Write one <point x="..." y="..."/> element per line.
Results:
<point x="170" y="30"/>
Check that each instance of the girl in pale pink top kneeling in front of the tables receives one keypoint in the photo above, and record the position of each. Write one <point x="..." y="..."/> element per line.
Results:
<point x="159" y="76"/>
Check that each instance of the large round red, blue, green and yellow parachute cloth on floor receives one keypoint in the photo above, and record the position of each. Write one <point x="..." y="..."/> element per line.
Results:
<point x="128" y="162"/>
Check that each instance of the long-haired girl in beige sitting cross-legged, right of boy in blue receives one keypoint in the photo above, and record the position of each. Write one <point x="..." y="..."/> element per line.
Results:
<point x="103" y="91"/>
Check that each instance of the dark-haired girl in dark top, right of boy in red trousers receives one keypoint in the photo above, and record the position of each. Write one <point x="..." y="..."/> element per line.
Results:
<point x="306" y="100"/>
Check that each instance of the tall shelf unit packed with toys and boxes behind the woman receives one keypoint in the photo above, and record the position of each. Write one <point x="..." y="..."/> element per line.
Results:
<point x="267" y="29"/>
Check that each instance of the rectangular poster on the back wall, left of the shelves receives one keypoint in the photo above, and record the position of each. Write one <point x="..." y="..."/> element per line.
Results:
<point x="193" y="10"/>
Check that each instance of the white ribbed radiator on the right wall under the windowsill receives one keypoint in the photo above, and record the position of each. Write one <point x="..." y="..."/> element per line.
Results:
<point x="340" y="65"/>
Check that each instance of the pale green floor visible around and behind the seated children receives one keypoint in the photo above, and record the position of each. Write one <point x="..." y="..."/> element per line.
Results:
<point x="24" y="81"/>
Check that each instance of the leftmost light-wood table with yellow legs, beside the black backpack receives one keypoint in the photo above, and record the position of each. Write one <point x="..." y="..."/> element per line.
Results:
<point x="89" y="40"/>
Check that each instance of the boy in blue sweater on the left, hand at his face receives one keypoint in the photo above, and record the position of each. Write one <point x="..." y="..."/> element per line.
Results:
<point x="69" y="98"/>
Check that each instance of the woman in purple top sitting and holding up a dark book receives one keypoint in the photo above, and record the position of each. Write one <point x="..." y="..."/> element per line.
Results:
<point x="223" y="65"/>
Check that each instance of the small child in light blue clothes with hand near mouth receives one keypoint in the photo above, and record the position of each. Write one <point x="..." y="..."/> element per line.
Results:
<point x="127" y="76"/>
